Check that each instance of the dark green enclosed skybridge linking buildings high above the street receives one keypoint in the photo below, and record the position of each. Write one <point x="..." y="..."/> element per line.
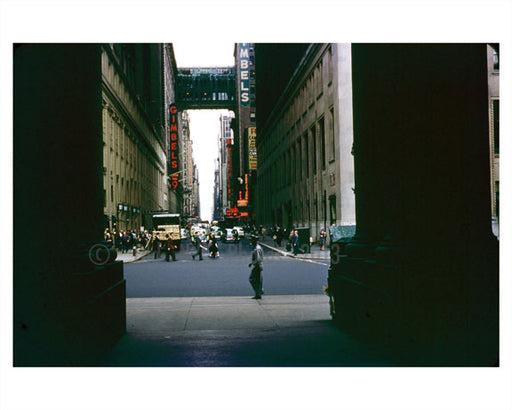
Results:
<point x="206" y="88"/>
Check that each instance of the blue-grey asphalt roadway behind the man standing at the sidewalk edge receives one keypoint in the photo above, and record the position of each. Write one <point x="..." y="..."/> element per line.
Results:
<point x="224" y="276"/>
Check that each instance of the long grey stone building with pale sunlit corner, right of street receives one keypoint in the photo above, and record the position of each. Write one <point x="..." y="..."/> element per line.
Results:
<point x="304" y="141"/>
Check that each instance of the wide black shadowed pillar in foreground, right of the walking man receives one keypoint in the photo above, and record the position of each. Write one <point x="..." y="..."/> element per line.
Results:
<point x="423" y="267"/>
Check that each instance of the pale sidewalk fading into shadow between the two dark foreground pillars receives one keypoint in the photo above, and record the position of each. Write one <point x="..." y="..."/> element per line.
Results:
<point x="292" y="330"/>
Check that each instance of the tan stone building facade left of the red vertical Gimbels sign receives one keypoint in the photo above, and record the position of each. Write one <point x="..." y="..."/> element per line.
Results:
<point x="135" y="93"/>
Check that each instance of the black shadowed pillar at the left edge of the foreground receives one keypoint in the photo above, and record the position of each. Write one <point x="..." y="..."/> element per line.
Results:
<point x="69" y="298"/>
